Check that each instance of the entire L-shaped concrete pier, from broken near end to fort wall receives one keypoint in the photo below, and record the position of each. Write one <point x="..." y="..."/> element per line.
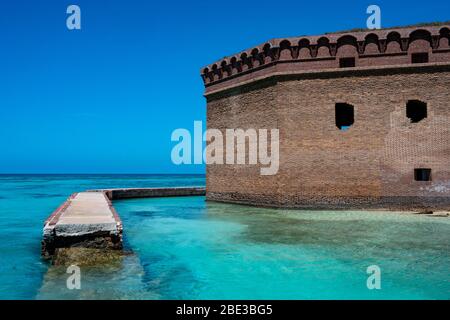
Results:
<point x="89" y="220"/>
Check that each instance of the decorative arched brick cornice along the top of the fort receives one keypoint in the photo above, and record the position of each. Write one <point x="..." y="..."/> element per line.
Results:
<point x="376" y="47"/>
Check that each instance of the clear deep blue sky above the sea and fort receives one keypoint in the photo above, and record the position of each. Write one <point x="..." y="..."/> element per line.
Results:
<point x="106" y="99"/>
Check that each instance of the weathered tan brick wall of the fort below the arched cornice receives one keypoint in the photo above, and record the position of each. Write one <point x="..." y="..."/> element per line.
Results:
<point x="369" y="166"/>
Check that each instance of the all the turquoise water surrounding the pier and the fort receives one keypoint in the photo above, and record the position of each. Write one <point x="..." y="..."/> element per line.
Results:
<point x="184" y="248"/>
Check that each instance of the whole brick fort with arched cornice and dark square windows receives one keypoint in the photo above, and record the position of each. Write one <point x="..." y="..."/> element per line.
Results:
<point x="363" y="119"/>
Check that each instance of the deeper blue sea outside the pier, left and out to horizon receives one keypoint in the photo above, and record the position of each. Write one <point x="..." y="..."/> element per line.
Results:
<point x="27" y="200"/>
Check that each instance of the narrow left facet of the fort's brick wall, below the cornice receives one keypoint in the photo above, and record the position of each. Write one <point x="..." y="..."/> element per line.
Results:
<point x="233" y="181"/>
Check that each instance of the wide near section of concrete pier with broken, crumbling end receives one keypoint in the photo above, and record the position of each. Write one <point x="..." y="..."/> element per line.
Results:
<point x="85" y="219"/>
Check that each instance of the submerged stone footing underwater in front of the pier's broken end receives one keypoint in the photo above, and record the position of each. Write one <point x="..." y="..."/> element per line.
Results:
<point x="103" y="275"/>
